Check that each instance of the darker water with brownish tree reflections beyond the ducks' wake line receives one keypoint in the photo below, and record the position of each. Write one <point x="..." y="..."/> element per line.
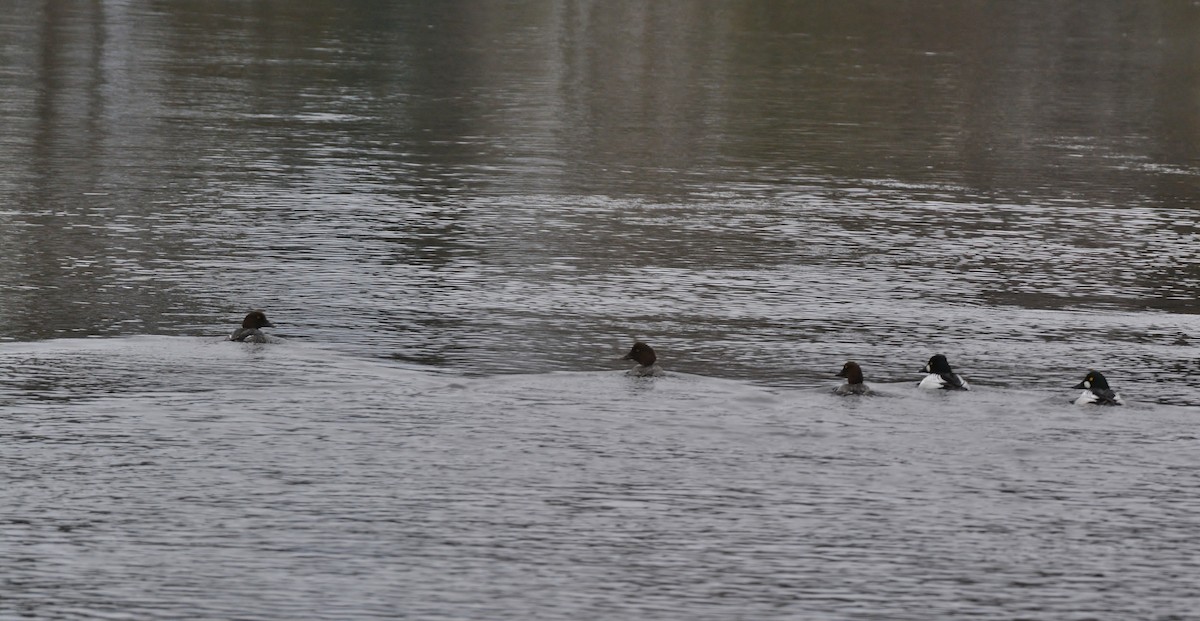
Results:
<point x="453" y="180"/>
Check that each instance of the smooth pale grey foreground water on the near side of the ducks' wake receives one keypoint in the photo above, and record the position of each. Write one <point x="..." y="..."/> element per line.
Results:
<point x="307" y="484"/>
